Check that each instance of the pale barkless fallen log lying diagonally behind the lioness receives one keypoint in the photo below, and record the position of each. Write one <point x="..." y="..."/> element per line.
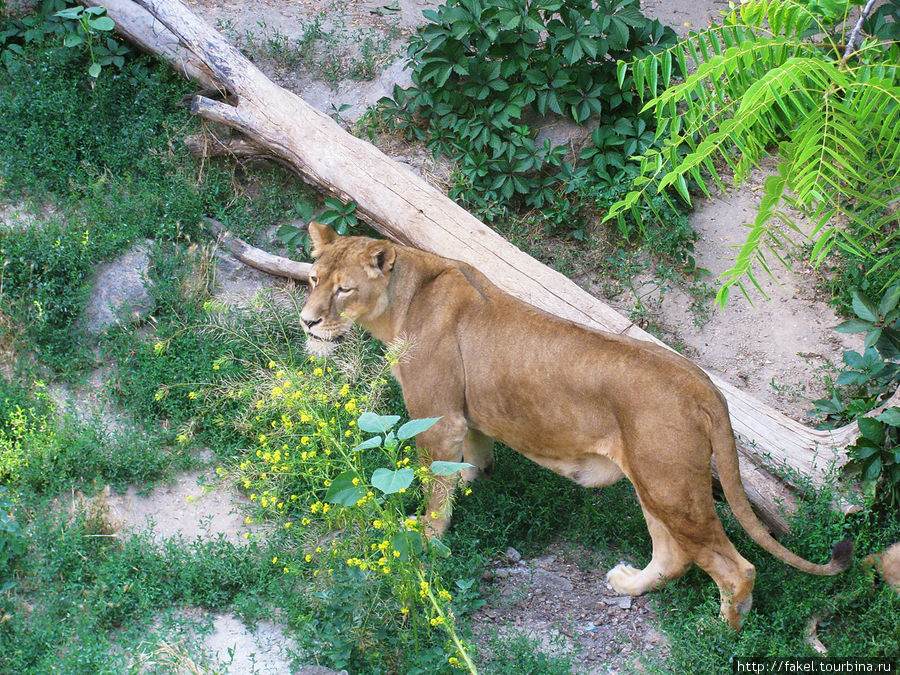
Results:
<point x="405" y="208"/>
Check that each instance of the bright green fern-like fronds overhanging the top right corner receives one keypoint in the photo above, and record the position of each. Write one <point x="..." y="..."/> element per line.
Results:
<point x="781" y="74"/>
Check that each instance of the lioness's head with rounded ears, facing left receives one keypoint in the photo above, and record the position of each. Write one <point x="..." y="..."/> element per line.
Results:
<point x="348" y="284"/>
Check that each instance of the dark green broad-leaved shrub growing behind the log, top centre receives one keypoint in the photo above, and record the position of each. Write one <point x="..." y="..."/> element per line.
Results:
<point x="483" y="71"/>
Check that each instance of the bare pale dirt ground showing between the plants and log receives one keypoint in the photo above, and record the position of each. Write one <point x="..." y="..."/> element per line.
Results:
<point x="775" y="349"/>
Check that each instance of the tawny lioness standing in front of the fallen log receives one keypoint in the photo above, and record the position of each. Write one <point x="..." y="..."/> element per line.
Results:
<point x="589" y="405"/>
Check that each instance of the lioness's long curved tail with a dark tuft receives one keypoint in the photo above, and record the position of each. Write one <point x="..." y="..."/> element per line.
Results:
<point x="725" y="452"/>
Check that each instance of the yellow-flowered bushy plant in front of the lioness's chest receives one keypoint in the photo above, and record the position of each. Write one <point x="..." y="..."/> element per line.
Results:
<point x="341" y="486"/>
